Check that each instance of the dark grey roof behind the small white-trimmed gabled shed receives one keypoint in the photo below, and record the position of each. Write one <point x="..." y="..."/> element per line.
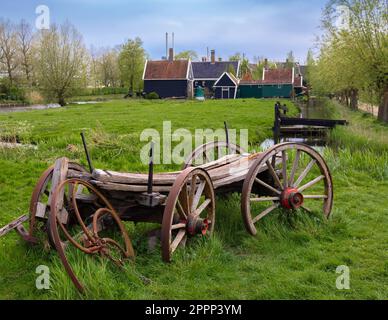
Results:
<point x="208" y="70"/>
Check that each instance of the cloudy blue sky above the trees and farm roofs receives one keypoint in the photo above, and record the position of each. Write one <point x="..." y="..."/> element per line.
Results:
<point x="254" y="27"/>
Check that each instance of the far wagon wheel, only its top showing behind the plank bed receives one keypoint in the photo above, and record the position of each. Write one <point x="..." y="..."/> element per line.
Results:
<point x="210" y="152"/>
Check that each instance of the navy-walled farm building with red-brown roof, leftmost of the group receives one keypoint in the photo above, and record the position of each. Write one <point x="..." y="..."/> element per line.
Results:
<point x="169" y="78"/>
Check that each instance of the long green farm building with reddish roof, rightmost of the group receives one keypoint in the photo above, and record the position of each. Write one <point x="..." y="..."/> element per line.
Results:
<point x="276" y="83"/>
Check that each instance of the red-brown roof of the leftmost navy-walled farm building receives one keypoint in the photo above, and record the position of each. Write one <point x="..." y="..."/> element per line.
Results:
<point x="166" y="70"/>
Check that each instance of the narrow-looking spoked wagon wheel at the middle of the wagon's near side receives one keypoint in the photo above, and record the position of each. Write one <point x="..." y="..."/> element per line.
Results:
<point x="189" y="211"/>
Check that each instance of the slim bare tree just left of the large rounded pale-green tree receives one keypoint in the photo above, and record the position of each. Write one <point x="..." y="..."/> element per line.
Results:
<point x="25" y="37"/>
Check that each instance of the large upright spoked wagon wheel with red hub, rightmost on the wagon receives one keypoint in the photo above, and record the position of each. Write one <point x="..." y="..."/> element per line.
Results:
<point x="297" y="178"/>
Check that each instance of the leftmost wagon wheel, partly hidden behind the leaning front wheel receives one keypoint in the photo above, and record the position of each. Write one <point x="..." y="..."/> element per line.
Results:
<point x="40" y="200"/>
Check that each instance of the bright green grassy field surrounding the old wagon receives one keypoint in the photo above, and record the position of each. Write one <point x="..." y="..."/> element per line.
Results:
<point x="291" y="257"/>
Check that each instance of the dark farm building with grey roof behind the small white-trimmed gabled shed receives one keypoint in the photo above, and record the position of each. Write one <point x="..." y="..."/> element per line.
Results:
<point x="206" y="73"/>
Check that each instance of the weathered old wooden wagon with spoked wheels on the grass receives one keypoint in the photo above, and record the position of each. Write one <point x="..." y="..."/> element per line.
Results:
<point x="86" y="208"/>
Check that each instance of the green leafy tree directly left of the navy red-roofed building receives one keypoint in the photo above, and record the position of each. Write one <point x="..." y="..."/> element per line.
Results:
<point x="131" y="63"/>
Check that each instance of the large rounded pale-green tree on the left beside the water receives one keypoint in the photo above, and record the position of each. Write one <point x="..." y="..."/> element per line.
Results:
<point x="60" y="61"/>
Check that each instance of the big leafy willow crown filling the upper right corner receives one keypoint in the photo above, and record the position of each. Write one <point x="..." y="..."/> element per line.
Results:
<point x="366" y="37"/>
